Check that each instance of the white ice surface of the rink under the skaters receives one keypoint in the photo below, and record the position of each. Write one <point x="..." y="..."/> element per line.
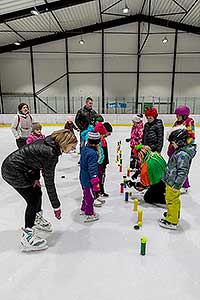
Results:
<point x="100" y="260"/>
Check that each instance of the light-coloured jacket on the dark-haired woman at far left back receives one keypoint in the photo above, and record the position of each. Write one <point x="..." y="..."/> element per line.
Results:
<point x="21" y="125"/>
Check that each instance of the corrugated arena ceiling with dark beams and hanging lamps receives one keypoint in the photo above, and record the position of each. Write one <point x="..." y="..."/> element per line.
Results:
<point x="56" y="19"/>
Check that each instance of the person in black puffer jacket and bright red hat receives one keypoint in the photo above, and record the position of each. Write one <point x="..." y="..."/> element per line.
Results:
<point x="153" y="133"/>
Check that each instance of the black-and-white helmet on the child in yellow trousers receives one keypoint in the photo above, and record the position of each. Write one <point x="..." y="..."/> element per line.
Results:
<point x="179" y="136"/>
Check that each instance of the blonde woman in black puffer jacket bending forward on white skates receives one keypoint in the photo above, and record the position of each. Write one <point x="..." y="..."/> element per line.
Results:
<point x="20" y="170"/>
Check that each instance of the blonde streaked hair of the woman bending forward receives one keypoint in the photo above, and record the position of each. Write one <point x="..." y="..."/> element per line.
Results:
<point x="64" y="137"/>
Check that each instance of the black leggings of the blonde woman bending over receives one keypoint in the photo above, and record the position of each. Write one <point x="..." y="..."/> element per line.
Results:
<point x="33" y="198"/>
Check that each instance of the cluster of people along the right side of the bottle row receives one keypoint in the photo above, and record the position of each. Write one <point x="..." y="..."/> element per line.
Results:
<point x="164" y="182"/>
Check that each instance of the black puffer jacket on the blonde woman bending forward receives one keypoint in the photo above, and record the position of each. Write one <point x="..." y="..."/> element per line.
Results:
<point x="20" y="168"/>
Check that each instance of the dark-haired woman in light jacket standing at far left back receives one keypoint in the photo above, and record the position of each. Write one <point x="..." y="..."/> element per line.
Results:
<point x="22" y="124"/>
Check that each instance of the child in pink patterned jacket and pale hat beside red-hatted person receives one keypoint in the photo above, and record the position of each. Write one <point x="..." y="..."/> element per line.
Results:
<point x="136" y="136"/>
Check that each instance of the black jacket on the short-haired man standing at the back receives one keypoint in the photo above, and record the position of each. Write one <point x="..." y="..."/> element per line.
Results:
<point x="85" y="117"/>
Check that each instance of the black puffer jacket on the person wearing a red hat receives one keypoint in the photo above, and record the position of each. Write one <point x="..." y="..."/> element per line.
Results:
<point x="153" y="135"/>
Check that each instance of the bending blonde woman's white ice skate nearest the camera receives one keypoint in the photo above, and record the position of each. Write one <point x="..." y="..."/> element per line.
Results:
<point x="31" y="242"/>
